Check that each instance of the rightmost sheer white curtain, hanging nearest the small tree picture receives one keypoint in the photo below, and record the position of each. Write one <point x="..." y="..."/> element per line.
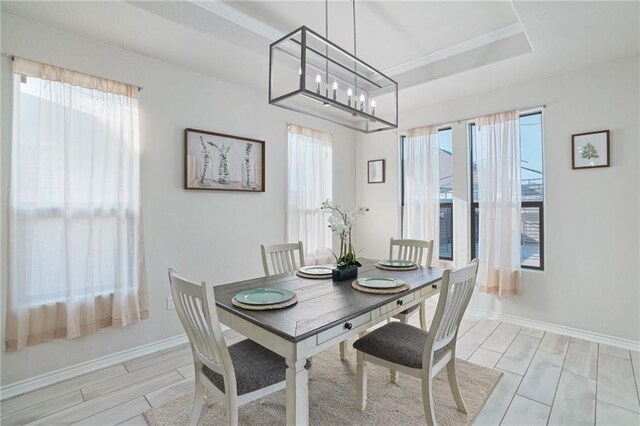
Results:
<point x="499" y="200"/>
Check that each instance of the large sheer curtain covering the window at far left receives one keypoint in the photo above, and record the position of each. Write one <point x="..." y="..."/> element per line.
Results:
<point x="76" y="257"/>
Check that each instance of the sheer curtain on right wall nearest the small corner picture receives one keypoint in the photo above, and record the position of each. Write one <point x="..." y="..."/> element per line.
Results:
<point x="422" y="185"/>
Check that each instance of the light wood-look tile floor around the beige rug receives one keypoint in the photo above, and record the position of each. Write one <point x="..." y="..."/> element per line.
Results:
<point x="548" y="379"/>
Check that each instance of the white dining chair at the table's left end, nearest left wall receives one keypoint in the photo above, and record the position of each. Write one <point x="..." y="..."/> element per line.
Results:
<point x="237" y="374"/>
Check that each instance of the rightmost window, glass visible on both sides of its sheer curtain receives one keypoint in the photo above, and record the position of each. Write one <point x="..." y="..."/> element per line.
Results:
<point x="531" y="158"/>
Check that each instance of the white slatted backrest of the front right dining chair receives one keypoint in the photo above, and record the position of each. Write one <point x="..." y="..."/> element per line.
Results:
<point x="455" y="294"/>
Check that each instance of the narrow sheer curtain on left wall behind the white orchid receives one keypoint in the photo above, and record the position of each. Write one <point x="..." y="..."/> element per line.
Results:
<point x="310" y="172"/>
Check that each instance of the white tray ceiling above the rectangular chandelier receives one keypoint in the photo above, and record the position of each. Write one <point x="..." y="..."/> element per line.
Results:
<point x="435" y="50"/>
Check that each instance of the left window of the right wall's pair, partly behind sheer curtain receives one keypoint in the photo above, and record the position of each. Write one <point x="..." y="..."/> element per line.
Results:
<point x="445" y="144"/>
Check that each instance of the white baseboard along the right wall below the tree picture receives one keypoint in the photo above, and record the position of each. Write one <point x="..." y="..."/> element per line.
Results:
<point x="558" y="329"/>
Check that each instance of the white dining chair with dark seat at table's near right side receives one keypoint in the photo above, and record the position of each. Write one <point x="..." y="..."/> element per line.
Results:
<point x="421" y="354"/>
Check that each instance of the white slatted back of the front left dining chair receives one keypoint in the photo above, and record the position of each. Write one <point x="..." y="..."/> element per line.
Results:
<point x="195" y="305"/>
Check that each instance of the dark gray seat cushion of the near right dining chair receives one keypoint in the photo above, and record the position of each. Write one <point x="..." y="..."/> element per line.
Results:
<point x="398" y="343"/>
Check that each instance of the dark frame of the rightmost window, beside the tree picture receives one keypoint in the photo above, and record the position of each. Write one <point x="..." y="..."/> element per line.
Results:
<point x="474" y="205"/>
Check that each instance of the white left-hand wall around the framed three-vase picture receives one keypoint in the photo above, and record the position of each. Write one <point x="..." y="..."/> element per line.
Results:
<point x="211" y="236"/>
